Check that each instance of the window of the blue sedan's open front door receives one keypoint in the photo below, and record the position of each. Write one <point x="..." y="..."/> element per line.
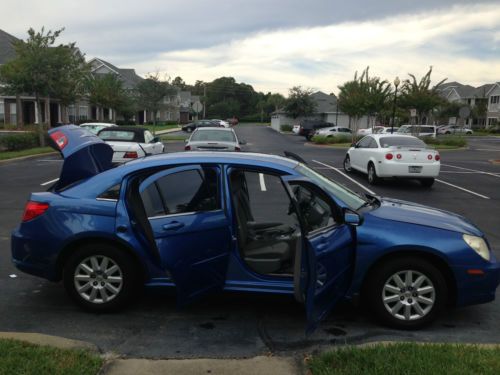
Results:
<point x="314" y="207"/>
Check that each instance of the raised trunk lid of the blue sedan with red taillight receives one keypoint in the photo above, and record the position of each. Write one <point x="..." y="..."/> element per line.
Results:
<point x="84" y="153"/>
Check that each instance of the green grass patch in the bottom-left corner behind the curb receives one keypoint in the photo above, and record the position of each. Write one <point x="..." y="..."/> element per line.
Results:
<point x="18" y="357"/>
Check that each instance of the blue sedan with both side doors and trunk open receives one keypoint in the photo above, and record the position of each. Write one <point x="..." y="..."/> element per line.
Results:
<point x="203" y="222"/>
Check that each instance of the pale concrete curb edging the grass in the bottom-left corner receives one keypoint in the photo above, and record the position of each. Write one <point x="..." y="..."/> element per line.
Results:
<point x="48" y="340"/>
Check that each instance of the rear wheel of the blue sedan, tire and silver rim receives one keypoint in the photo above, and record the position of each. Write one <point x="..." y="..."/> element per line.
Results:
<point x="100" y="293"/>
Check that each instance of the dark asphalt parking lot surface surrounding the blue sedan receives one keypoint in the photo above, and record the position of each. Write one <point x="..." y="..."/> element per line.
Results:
<point x="242" y="325"/>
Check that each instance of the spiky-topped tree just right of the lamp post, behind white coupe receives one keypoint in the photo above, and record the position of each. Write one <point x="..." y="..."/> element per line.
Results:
<point x="420" y="95"/>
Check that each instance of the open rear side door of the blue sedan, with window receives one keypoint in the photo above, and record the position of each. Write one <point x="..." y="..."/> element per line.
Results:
<point x="189" y="226"/>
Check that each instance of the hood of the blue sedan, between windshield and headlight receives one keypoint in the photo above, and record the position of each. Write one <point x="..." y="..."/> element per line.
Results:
<point x="408" y="212"/>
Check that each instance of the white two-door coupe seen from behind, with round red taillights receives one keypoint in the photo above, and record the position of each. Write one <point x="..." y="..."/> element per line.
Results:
<point x="393" y="155"/>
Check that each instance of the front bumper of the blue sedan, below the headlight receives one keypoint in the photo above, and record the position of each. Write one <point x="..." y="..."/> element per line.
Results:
<point x="476" y="289"/>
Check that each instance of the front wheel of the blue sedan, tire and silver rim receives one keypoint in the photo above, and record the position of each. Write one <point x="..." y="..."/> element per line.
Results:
<point x="410" y="309"/>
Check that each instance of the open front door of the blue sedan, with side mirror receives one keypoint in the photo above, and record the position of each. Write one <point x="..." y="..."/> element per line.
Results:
<point x="324" y="267"/>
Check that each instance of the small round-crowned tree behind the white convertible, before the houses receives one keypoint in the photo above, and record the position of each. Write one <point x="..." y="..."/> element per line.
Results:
<point x="151" y="93"/>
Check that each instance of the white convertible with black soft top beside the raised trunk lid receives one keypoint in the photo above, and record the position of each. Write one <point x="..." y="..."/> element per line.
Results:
<point x="131" y="142"/>
